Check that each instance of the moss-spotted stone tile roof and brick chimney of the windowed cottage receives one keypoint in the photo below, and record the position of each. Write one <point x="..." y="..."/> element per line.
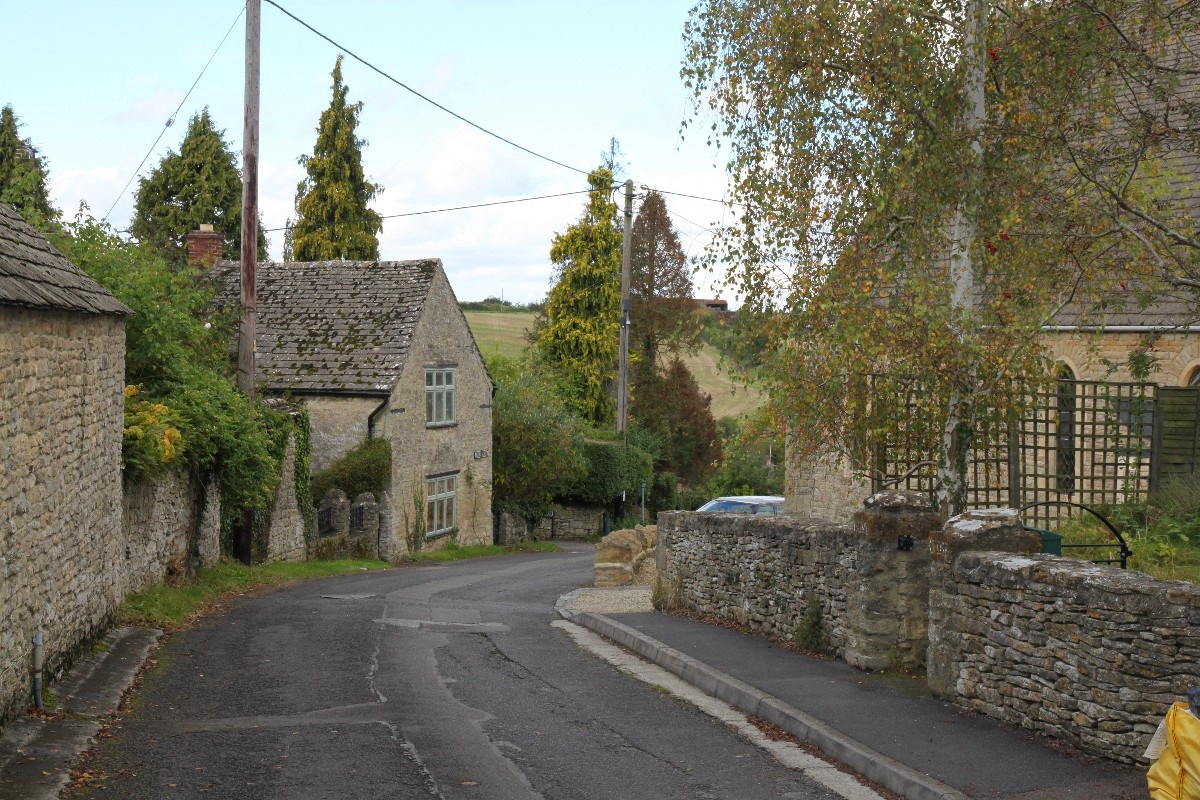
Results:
<point x="333" y="327"/>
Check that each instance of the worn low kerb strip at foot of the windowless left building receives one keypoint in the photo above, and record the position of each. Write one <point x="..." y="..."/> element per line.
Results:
<point x="37" y="757"/>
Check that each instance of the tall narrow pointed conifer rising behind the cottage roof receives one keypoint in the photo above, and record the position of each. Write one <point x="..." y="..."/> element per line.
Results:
<point x="333" y="219"/>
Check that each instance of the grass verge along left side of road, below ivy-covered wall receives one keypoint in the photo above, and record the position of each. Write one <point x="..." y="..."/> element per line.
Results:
<point x="173" y="606"/>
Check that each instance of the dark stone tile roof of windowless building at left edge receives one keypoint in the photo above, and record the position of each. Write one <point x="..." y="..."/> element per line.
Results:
<point x="35" y="275"/>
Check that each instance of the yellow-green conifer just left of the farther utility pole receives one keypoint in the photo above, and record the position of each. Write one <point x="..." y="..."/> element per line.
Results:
<point x="584" y="309"/>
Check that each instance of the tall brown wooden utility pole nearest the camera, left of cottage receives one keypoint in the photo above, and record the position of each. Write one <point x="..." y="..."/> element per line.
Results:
<point x="249" y="206"/>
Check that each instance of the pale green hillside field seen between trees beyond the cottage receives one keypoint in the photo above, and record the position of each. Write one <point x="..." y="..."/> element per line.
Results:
<point x="503" y="334"/>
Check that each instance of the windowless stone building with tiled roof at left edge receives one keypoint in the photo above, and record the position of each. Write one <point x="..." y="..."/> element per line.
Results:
<point x="62" y="417"/>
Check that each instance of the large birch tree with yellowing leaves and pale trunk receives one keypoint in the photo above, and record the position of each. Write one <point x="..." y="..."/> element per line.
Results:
<point x="910" y="203"/>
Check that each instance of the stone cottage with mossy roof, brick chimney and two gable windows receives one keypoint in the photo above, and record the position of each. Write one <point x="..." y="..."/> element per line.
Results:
<point x="382" y="350"/>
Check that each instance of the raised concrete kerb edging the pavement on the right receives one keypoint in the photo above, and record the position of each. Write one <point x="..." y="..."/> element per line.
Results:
<point x="866" y="761"/>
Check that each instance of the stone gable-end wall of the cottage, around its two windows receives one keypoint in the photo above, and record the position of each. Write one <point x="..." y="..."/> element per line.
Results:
<point x="464" y="449"/>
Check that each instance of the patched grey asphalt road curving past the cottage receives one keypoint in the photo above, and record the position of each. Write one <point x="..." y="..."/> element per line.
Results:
<point x="423" y="682"/>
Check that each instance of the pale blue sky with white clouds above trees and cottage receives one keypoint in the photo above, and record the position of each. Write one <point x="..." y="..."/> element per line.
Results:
<point x="94" y="85"/>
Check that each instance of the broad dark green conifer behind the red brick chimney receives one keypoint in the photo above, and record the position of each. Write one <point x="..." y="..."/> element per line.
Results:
<point x="199" y="185"/>
